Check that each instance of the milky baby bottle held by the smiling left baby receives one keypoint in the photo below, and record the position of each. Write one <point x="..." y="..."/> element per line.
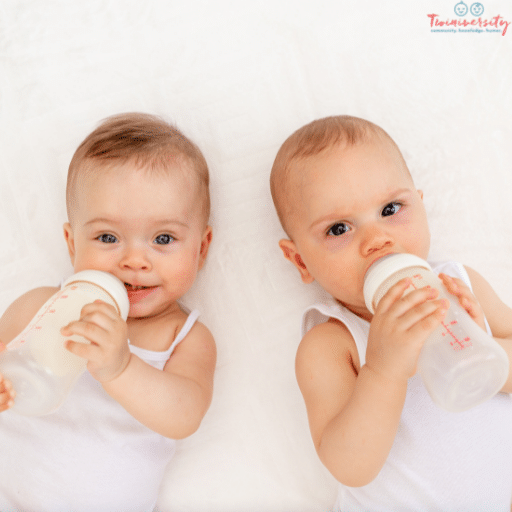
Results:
<point x="41" y="369"/>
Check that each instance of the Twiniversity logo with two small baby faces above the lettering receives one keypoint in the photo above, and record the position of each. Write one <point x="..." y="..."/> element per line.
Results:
<point x="469" y="19"/>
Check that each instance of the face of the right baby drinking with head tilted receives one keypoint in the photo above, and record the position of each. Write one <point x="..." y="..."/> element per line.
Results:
<point x="353" y="206"/>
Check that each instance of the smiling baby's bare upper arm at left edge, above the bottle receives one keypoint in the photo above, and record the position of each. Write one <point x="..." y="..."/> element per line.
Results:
<point x="18" y="315"/>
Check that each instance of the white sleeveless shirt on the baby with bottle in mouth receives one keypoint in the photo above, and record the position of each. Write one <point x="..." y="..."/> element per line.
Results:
<point x="439" y="461"/>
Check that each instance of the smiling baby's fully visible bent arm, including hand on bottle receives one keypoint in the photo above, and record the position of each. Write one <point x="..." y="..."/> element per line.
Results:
<point x="171" y="402"/>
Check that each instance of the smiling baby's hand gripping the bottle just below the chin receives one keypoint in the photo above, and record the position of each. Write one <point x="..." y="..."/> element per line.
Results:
<point x="108" y="353"/>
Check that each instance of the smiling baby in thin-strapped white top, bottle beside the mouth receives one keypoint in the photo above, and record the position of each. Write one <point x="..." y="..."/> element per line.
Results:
<point x="138" y="207"/>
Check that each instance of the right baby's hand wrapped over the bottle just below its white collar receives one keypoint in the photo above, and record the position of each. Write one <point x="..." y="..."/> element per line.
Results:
<point x="399" y="328"/>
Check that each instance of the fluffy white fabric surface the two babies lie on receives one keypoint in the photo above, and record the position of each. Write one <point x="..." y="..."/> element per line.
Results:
<point x="238" y="78"/>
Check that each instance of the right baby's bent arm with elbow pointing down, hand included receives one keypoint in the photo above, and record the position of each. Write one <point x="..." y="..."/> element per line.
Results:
<point x="354" y="412"/>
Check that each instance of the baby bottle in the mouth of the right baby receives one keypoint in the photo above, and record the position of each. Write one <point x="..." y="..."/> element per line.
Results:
<point x="460" y="364"/>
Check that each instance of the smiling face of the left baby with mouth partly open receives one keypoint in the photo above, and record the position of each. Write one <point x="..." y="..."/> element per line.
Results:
<point x="146" y="229"/>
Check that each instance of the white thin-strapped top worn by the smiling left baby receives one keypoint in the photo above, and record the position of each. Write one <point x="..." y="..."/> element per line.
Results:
<point x="88" y="456"/>
